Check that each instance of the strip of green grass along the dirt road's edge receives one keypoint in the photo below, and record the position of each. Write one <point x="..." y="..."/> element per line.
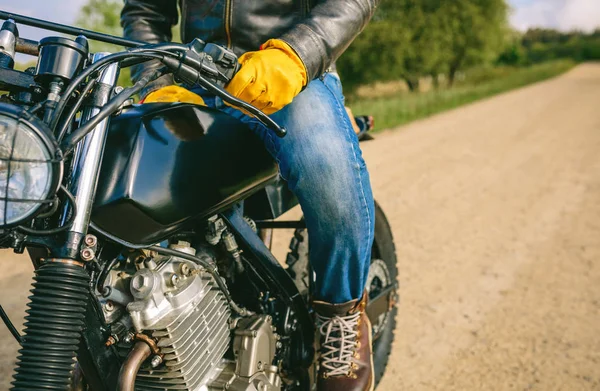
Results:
<point x="405" y="107"/>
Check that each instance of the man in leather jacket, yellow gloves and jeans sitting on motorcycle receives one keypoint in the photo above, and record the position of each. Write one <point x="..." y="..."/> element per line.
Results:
<point x="288" y="49"/>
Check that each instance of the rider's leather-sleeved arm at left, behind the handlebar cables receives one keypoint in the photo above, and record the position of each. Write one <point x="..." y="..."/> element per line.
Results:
<point x="149" y="21"/>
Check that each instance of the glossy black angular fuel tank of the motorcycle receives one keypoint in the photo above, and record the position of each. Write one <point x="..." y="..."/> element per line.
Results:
<point x="167" y="163"/>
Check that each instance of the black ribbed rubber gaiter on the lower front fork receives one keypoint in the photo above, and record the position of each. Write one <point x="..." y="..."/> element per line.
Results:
<point x="53" y="328"/>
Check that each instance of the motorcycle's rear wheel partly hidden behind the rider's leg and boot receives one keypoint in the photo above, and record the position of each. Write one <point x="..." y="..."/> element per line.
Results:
<point x="383" y="274"/>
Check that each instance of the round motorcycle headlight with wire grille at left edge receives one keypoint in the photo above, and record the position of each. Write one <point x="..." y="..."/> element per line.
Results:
<point x="30" y="167"/>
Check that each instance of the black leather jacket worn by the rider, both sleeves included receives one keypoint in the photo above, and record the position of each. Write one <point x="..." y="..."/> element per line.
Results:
<point x="318" y="30"/>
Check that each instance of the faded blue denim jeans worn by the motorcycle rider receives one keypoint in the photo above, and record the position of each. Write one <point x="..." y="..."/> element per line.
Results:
<point x="322" y="163"/>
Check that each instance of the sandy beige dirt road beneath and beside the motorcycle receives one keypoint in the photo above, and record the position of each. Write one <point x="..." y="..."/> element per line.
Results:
<point x="495" y="209"/>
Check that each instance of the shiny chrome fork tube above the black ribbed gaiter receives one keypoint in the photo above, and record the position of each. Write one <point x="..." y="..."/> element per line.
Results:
<point x="88" y="157"/>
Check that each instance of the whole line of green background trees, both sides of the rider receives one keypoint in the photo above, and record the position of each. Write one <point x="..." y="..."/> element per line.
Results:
<point x="413" y="39"/>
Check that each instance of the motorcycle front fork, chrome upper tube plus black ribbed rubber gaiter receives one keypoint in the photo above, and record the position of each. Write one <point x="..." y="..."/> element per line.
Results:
<point x="56" y="312"/>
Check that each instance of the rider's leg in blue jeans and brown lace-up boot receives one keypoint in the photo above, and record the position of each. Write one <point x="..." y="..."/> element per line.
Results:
<point x="323" y="165"/>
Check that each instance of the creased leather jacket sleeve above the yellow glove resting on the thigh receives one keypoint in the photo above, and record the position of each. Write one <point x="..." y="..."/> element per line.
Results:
<point x="327" y="31"/>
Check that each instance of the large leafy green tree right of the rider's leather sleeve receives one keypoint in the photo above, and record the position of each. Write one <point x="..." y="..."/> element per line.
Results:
<point x="410" y="39"/>
